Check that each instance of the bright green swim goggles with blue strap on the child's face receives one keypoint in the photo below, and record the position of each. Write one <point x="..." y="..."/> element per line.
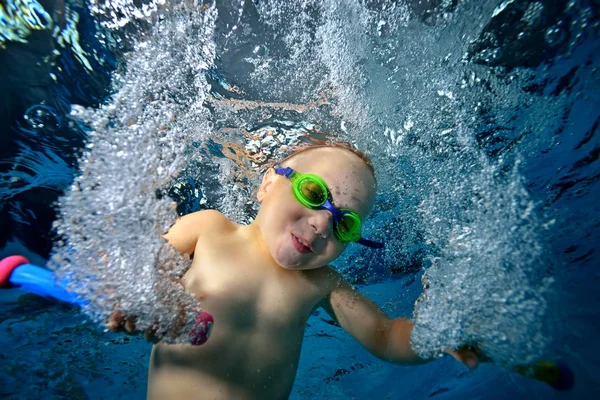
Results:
<point x="312" y="192"/>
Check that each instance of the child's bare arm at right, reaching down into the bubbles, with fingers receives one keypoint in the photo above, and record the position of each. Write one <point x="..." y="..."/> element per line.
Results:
<point x="387" y="339"/>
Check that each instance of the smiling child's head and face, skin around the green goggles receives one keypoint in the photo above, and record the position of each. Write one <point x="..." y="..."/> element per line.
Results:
<point x="301" y="238"/>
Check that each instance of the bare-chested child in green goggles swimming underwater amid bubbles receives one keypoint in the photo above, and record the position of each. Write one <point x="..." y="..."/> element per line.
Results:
<point x="262" y="281"/>
